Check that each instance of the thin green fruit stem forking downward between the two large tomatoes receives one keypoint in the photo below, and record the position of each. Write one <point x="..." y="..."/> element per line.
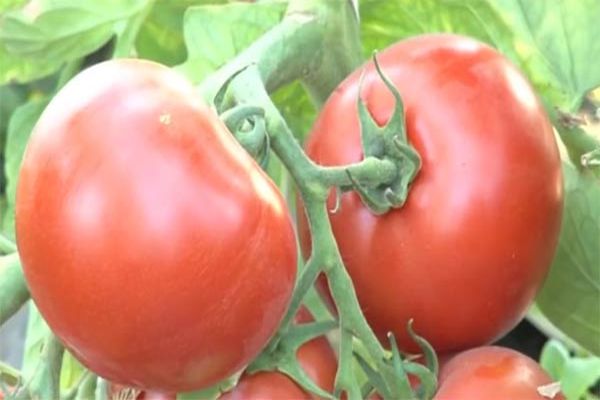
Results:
<point x="314" y="183"/>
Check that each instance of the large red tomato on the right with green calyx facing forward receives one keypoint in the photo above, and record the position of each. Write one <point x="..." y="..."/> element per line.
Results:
<point x="470" y="248"/>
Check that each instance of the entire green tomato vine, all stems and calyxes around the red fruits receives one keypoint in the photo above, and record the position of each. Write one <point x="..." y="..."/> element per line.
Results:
<point x="317" y="43"/>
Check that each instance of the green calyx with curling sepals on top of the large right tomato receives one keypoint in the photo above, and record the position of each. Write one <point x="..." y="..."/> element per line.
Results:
<point x="388" y="142"/>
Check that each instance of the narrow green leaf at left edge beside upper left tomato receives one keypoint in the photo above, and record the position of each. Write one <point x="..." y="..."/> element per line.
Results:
<point x="19" y="128"/>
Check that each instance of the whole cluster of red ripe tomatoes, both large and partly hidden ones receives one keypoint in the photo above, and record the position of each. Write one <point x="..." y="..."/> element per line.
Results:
<point x="164" y="258"/>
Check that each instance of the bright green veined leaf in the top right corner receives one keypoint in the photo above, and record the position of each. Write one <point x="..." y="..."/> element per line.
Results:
<point x="555" y="42"/>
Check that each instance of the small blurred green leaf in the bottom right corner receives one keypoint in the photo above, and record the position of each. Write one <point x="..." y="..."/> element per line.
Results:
<point x="576" y="374"/>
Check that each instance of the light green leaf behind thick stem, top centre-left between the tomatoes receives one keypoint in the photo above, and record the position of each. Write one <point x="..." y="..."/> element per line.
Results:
<point x="210" y="39"/>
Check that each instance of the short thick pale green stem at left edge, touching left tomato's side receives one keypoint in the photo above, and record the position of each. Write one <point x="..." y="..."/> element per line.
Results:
<point x="13" y="289"/>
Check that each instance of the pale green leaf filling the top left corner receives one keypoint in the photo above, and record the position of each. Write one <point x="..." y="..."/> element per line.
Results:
<point x="36" y="43"/>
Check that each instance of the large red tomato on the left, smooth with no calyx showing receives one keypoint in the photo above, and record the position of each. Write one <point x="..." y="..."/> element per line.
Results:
<point x="156" y="249"/>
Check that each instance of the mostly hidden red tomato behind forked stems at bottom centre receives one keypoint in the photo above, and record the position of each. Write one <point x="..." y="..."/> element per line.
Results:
<point x="316" y="358"/>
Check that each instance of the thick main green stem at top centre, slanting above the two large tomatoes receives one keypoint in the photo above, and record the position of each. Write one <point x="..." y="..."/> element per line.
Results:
<point x="297" y="49"/>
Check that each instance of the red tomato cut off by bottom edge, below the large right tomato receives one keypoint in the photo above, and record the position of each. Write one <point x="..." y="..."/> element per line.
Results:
<point x="492" y="373"/>
